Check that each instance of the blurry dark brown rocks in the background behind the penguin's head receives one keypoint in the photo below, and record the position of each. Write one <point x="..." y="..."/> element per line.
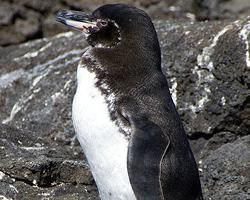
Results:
<point x="23" y="20"/>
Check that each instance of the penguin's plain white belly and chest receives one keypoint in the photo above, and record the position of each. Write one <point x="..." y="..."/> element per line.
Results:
<point x="104" y="146"/>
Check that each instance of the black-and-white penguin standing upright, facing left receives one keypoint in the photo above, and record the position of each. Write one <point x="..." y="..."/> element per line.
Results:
<point x="123" y="113"/>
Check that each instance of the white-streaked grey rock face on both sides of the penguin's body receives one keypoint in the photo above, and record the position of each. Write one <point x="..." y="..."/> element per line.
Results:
<point x="207" y="65"/>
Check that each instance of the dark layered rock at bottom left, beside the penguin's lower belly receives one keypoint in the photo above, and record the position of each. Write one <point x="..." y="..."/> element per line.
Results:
<point x="33" y="165"/>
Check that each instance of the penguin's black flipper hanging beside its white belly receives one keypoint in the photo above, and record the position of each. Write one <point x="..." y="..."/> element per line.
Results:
<point x="146" y="150"/>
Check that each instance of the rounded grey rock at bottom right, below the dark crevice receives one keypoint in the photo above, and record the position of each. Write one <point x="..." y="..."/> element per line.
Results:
<point x="226" y="171"/>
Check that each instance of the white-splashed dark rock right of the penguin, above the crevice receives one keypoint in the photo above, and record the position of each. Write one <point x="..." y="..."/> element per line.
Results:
<point x="210" y="82"/>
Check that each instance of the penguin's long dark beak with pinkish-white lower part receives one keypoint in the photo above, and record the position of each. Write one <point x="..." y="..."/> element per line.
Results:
<point x="78" y="20"/>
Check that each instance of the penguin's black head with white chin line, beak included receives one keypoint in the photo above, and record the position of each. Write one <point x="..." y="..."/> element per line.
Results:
<point x="112" y="25"/>
